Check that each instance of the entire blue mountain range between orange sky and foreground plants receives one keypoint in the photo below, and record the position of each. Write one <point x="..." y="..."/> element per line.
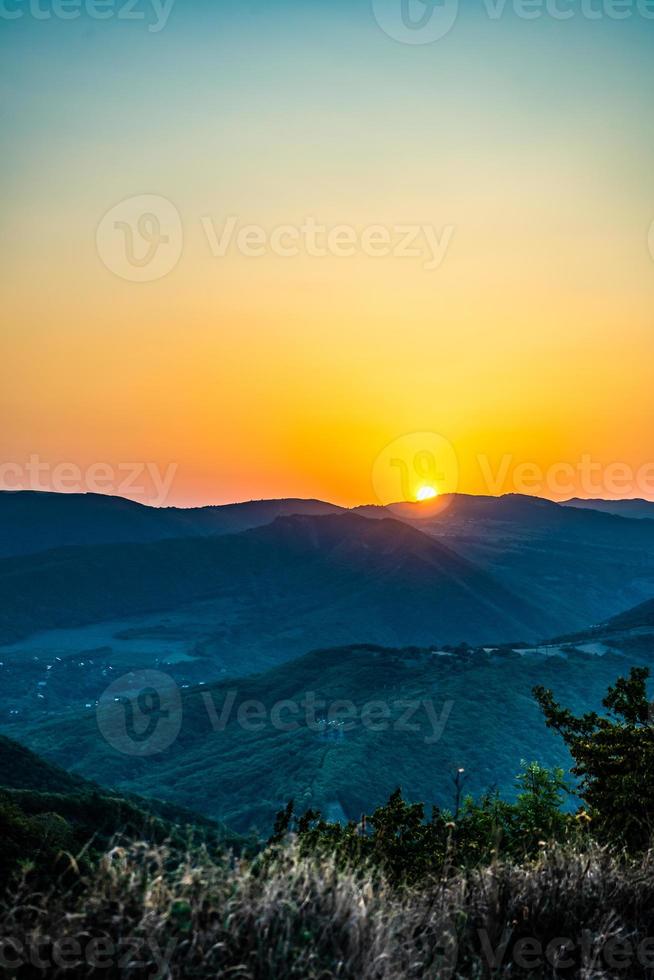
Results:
<point x="452" y="602"/>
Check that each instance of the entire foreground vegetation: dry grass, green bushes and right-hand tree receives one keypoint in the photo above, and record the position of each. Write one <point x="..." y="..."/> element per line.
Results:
<point x="491" y="889"/>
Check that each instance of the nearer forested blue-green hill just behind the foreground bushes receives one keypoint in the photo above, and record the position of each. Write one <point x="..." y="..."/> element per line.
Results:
<point x="429" y="712"/>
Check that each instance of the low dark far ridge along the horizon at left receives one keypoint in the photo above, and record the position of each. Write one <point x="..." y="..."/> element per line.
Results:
<point x="32" y="521"/>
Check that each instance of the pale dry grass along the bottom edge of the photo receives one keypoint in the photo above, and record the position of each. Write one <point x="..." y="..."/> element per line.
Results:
<point x="145" y="914"/>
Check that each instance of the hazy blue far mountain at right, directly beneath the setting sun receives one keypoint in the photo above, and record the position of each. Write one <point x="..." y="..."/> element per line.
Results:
<point x="583" y="566"/>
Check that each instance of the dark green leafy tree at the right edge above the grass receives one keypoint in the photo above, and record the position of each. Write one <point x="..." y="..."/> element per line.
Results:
<point x="614" y="759"/>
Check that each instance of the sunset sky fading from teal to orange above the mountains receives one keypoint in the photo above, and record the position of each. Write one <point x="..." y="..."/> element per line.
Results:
<point x="292" y="248"/>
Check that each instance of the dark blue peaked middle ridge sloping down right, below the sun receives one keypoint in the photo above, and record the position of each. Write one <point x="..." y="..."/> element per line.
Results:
<point x="338" y="578"/>
